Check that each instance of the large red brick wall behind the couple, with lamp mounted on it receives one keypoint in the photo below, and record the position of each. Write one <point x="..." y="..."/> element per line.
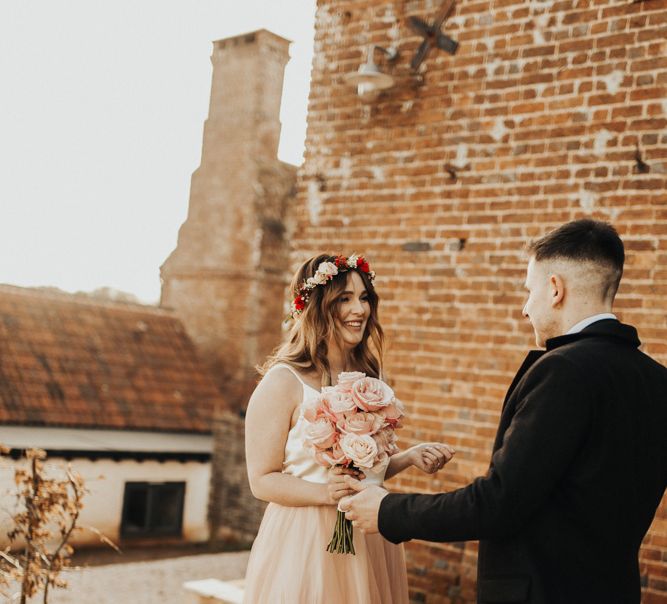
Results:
<point x="443" y="179"/>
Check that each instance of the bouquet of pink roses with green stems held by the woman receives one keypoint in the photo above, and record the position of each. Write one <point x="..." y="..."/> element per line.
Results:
<point x="352" y="424"/>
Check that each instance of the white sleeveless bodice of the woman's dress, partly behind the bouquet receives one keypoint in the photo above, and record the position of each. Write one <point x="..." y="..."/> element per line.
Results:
<point x="299" y="460"/>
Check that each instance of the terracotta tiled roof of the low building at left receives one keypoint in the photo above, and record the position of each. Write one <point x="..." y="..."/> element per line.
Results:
<point x="72" y="361"/>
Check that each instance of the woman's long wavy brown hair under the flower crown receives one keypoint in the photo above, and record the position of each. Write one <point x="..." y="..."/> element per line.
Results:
<point x="307" y="342"/>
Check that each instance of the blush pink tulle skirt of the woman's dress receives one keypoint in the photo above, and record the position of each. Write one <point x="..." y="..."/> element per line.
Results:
<point x="289" y="563"/>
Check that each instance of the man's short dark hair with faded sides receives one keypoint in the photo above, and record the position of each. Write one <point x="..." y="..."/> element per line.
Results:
<point x="585" y="240"/>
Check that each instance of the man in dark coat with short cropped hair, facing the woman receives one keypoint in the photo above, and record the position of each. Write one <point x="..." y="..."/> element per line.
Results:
<point x="580" y="458"/>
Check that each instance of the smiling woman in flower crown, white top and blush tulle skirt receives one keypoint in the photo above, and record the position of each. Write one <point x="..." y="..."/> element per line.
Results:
<point x="336" y="329"/>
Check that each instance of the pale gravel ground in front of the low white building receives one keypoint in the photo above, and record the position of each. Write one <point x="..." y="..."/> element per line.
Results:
<point x="152" y="582"/>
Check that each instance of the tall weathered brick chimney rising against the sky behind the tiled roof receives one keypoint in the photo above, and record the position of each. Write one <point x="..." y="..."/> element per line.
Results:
<point x="227" y="275"/>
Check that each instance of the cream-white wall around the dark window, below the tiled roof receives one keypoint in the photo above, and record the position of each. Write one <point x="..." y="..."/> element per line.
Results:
<point x="103" y="505"/>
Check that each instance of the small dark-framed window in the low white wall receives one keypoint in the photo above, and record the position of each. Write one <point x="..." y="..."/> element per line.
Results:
<point x="153" y="509"/>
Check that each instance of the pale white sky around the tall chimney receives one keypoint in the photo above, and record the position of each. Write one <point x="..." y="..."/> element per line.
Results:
<point x="102" y="105"/>
